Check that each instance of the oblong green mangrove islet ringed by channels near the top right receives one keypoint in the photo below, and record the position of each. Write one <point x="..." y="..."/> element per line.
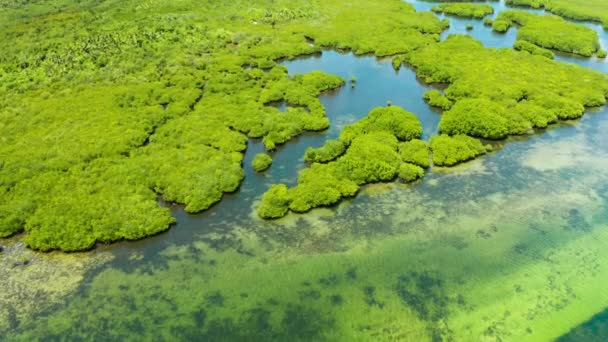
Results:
<point x="550" y="32"/>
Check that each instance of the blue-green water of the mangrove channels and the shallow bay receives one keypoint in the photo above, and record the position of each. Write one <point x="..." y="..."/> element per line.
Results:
<point x="510" y="247"/>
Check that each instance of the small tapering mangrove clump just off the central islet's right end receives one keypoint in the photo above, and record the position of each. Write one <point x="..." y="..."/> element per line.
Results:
<point x="452" y="150"/>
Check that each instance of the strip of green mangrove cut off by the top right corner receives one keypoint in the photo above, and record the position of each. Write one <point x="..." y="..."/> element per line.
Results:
<point x="594" y="10"/>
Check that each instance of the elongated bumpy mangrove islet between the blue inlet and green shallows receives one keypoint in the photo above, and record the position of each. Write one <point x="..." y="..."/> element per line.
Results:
<point x="373" y="154"/>
